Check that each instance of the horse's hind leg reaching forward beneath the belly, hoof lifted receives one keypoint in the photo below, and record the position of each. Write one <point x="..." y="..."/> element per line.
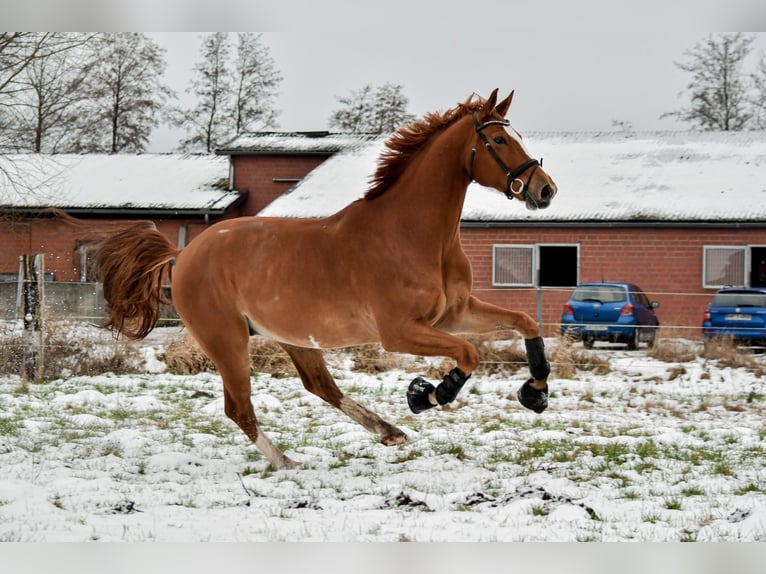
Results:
<point x="317" y="380"/>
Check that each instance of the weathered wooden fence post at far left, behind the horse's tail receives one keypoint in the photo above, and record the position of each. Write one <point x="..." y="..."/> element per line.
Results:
<point x="32" y="278"/>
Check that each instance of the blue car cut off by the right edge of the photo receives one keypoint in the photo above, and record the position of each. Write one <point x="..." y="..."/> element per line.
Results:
<point x="739" y="313"/>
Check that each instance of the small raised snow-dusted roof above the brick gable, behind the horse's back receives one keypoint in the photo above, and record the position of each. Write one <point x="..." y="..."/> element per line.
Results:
<point x="267" y="143"/>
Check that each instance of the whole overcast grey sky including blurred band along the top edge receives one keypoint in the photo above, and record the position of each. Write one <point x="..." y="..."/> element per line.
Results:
<point x="575" y="65"/>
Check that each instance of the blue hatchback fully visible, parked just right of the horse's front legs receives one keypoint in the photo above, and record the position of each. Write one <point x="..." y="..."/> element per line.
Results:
<point x="614" y="312"/>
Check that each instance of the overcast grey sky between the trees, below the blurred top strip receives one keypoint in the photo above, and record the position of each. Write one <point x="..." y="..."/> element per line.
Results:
<point x="566" y="78"/>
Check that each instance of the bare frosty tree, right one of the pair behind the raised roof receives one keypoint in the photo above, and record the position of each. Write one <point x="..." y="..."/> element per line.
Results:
<point x="256" y="83"/>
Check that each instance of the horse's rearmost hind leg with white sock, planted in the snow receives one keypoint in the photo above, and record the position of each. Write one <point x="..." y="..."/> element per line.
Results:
<point x="229" y="351"/>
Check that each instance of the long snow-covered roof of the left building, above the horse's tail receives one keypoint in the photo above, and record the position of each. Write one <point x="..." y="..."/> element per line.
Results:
<point x="153" y="182"/>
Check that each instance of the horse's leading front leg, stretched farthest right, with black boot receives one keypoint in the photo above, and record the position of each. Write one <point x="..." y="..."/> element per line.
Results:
<point x="480" y="318"/>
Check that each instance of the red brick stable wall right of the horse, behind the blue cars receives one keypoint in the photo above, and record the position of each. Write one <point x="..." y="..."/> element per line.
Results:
<point x="665" y="263"/>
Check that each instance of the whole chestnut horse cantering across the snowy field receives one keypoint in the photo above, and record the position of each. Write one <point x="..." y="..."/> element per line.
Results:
<point x="387" y="268"/>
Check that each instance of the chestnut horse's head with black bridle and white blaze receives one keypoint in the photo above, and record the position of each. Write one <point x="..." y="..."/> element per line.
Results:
<point x="503" y="162"/>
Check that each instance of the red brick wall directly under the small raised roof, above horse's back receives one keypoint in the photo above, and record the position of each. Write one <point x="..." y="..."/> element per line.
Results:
<point x="256" y="174"/>
